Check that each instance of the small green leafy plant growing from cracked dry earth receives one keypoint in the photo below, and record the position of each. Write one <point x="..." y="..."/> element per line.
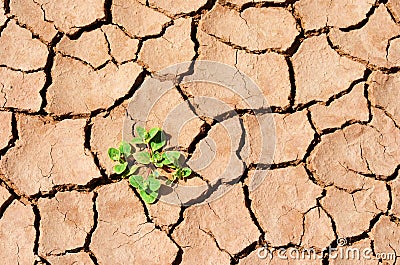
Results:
<point x="145" y="151"/>
